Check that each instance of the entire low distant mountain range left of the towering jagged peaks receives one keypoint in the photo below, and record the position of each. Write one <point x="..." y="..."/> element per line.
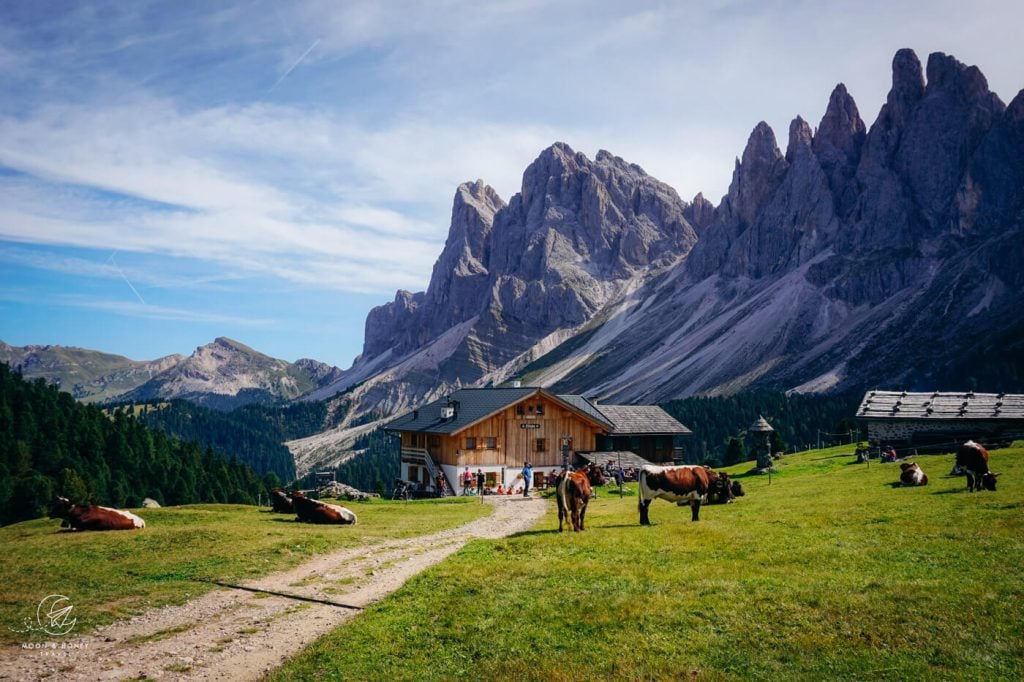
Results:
<point x="223" y="375"/>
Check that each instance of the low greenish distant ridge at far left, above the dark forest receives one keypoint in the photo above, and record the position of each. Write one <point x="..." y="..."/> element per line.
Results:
<point x="90" y="376"/>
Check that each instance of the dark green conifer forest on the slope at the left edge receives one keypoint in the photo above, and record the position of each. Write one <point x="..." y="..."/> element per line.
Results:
<point x="52" y="445"/>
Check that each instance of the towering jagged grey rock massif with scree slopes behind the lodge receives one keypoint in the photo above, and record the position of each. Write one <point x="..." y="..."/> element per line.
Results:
<point x="888" y="255"/>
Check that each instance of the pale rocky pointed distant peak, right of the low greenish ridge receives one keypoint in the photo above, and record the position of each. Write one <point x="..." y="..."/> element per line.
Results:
<point x="226" y="374"/>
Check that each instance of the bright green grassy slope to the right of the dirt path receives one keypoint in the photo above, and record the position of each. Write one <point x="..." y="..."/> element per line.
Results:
<point x="828" y="574"/>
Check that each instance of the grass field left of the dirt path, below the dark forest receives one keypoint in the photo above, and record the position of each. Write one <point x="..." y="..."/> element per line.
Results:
<point x="110" y="576"/>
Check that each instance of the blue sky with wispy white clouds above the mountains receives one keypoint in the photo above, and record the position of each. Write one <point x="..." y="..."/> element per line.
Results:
<point x="271" y="170"/>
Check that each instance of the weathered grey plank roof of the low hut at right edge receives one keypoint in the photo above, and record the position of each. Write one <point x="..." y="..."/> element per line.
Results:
<point x="902" y="405"/>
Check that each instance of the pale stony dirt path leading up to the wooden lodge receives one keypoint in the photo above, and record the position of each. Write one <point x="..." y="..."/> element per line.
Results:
<point x="236" y="635"/>
